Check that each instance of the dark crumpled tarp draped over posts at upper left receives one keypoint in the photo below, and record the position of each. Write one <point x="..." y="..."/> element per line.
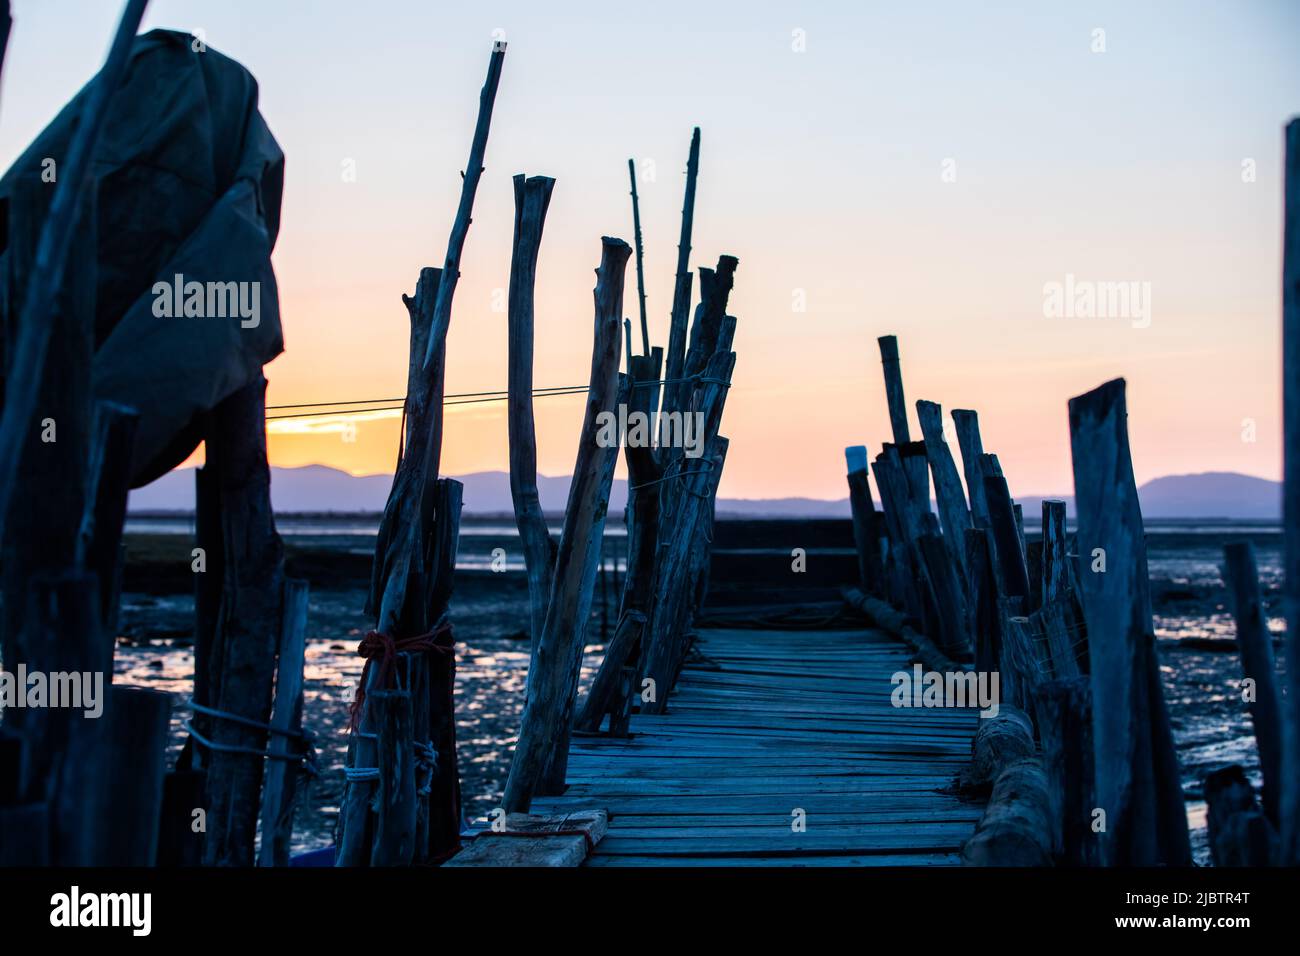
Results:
<point x="190" y="181"/>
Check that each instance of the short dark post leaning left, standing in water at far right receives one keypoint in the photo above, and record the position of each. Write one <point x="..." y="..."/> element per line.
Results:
<point x="1255" y="644"/>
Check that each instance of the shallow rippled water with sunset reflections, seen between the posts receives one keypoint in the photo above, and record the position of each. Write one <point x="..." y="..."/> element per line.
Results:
<point x="1210" y="720"/>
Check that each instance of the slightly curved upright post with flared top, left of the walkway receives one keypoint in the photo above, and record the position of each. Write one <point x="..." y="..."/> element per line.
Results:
<point x="532" y="198"/>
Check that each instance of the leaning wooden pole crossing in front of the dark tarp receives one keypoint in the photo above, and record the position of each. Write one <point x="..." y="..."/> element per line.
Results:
<point x="51" y="257"/>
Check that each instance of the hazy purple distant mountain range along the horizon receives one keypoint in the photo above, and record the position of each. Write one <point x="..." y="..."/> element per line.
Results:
<point x="317" y="488"/>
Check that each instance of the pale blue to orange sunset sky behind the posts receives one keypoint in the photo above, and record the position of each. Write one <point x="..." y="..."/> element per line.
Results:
<point x="929" y="170"/>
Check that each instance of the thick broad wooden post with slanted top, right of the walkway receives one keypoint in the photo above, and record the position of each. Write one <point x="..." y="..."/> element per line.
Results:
<point x="1137" y="768"/>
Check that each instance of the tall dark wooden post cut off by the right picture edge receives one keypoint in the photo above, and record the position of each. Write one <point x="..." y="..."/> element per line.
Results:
<point x="1292" y="491"/>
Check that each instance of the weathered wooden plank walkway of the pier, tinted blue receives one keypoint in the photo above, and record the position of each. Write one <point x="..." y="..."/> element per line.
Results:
<point x="764" y="725"/>
